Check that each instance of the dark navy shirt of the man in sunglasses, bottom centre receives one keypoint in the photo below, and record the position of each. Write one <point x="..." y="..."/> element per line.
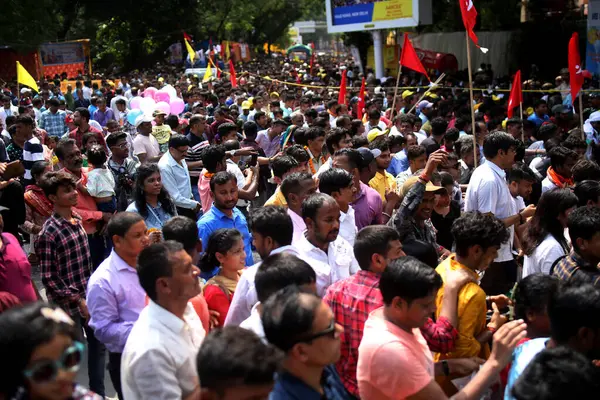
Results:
<point x="288" y="387"/>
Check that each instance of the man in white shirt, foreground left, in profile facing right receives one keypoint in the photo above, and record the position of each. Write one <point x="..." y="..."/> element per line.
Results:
<point x="159" y="359"/>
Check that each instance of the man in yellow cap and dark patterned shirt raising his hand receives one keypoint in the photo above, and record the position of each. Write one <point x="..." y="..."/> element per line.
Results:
<point x="413" y="218"/>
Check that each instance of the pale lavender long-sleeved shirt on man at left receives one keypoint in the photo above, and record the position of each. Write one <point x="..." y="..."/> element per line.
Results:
<point x="115" y="300"/>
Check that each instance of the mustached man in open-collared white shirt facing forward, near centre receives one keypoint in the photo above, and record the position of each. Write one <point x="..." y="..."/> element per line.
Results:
<point x="321" y="244"/>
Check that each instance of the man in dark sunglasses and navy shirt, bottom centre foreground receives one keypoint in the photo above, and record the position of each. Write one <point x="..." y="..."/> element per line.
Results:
<point x="303" y="326"/>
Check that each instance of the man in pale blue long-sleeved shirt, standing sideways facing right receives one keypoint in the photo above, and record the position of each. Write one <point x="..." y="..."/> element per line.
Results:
<point x="176" y="177"/>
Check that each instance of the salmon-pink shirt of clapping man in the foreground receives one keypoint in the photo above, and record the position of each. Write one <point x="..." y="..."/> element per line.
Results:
<point x="392" y="363"/>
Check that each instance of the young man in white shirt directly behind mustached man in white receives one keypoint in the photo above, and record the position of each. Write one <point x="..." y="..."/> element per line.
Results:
<point x="339" y="184"/>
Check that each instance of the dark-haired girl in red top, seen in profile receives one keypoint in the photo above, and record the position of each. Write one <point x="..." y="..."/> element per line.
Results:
<point x="225" y="251"/>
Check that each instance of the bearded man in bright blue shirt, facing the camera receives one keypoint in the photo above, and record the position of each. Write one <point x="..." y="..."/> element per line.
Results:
<point x="223" y="213"/>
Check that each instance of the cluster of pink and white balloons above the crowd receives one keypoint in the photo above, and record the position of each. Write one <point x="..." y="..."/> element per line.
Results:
<point x="153" y="99"/>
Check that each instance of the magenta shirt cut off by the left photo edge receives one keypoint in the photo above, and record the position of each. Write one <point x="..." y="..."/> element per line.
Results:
<point x="15" y="270"/>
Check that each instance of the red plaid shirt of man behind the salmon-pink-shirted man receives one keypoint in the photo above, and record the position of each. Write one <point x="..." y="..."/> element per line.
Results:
<point x="352" y="300"/>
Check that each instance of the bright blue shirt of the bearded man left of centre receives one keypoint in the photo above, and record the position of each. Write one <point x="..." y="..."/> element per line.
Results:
<point x="215" y="219"/>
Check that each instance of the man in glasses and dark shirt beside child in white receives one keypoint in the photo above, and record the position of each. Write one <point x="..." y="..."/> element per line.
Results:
<point x="122" y="167"/>
